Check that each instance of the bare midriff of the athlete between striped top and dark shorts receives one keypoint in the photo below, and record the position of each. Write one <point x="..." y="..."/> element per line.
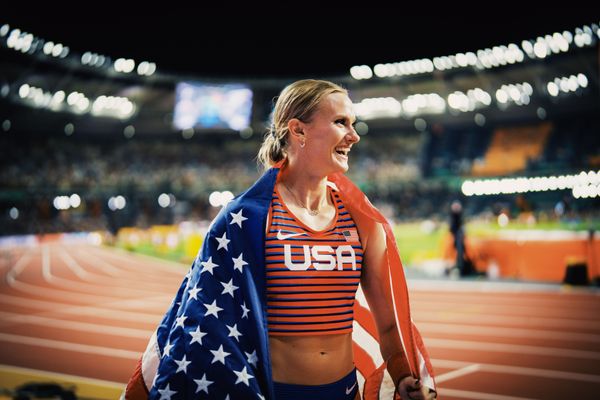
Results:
<point x="311" y="360"/>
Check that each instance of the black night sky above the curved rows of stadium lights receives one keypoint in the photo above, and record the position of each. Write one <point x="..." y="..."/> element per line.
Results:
<point x="219" y="44"/>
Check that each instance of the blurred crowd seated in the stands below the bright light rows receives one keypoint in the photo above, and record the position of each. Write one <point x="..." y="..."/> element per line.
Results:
<point x="409" y="176"/>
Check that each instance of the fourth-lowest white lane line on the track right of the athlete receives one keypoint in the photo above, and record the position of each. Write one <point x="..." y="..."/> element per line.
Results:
<point x="503" y="320"/>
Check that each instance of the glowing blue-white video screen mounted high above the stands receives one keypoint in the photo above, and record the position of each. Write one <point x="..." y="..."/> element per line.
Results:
<point x="205" y="106"/>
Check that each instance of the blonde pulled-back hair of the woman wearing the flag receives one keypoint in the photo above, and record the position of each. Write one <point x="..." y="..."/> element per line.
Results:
<point x="297" y="100"/>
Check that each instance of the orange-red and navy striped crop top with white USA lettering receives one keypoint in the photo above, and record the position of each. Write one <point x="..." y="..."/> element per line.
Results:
<point x="312" y="276"/>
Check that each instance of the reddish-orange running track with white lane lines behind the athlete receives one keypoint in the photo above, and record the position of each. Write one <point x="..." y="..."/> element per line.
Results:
<point x="88" y="311"/>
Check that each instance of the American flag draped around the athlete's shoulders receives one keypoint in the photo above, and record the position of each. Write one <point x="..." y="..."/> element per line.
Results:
<point x="213" y="341"/>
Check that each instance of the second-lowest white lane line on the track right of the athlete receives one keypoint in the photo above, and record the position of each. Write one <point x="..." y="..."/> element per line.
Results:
<point x="520" y="371"/>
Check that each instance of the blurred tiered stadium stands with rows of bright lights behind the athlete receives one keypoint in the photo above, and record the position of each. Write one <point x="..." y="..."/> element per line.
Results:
<point x="476" y="116"/>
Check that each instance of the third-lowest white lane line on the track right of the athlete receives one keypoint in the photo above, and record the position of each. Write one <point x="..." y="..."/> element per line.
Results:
<point x="512" y="348"/>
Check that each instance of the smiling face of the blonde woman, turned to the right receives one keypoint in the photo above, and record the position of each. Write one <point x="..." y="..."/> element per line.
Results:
<point x="329" y="136"/>
